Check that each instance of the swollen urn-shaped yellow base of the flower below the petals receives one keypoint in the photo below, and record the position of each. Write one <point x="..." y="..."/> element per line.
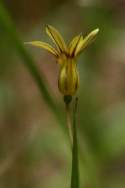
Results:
<point x="68" y="78"/>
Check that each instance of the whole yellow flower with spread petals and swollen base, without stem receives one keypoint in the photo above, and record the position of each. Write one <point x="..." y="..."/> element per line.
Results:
<point x="68" y="80"/>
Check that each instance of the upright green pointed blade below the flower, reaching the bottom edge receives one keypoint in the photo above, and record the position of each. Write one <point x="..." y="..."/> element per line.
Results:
<point x="75" y="160"/>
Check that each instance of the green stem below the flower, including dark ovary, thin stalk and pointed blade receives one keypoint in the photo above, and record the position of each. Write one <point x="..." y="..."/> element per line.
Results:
<point x="73" y="137"/>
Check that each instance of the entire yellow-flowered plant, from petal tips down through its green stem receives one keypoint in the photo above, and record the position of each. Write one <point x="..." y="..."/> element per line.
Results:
<point x="68" y="79"/>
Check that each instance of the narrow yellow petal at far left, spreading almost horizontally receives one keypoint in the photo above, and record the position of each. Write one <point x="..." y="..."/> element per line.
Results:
<point x="43" y="45"/>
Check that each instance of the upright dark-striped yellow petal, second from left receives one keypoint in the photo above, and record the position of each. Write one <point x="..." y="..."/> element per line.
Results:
<point x="56" y="38"/>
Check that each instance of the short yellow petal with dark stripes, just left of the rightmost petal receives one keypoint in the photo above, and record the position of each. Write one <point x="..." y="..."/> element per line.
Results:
<point x="73" y="45"/>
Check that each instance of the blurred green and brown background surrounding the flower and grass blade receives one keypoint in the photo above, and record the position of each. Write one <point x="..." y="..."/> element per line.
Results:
<point x="34" y="149"/>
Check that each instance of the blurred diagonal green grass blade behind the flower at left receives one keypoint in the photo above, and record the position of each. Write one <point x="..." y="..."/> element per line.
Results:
<point x="8" y="26"/>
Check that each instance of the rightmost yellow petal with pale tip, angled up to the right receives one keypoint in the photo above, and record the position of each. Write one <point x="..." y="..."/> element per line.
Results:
<point x="86" y="41"/>
